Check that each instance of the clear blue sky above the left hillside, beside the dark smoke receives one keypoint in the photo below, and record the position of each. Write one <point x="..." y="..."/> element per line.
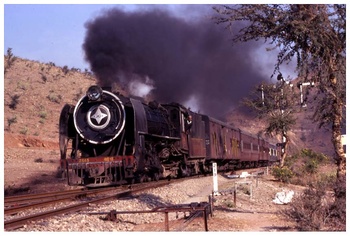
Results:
<point x="53" y="32"/>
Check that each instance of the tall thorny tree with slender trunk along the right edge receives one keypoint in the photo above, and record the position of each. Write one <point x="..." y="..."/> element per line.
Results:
<point x="313" y="35"/>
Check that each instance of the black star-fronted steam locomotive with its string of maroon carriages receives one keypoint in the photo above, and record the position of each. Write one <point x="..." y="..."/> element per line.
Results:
<point x="110" y="139"/>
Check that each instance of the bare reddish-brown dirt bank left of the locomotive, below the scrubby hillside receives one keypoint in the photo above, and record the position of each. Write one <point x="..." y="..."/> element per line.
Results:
<point x="30" y="165"/>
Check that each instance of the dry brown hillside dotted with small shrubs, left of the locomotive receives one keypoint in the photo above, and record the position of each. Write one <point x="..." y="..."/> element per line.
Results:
<point x="35" y="93"/>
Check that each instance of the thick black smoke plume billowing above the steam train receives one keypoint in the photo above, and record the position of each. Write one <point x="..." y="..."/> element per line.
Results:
<point x="184" y="57"/>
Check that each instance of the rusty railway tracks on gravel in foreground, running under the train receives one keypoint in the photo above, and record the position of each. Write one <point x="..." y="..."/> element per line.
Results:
<point x="20" y="204"/>
